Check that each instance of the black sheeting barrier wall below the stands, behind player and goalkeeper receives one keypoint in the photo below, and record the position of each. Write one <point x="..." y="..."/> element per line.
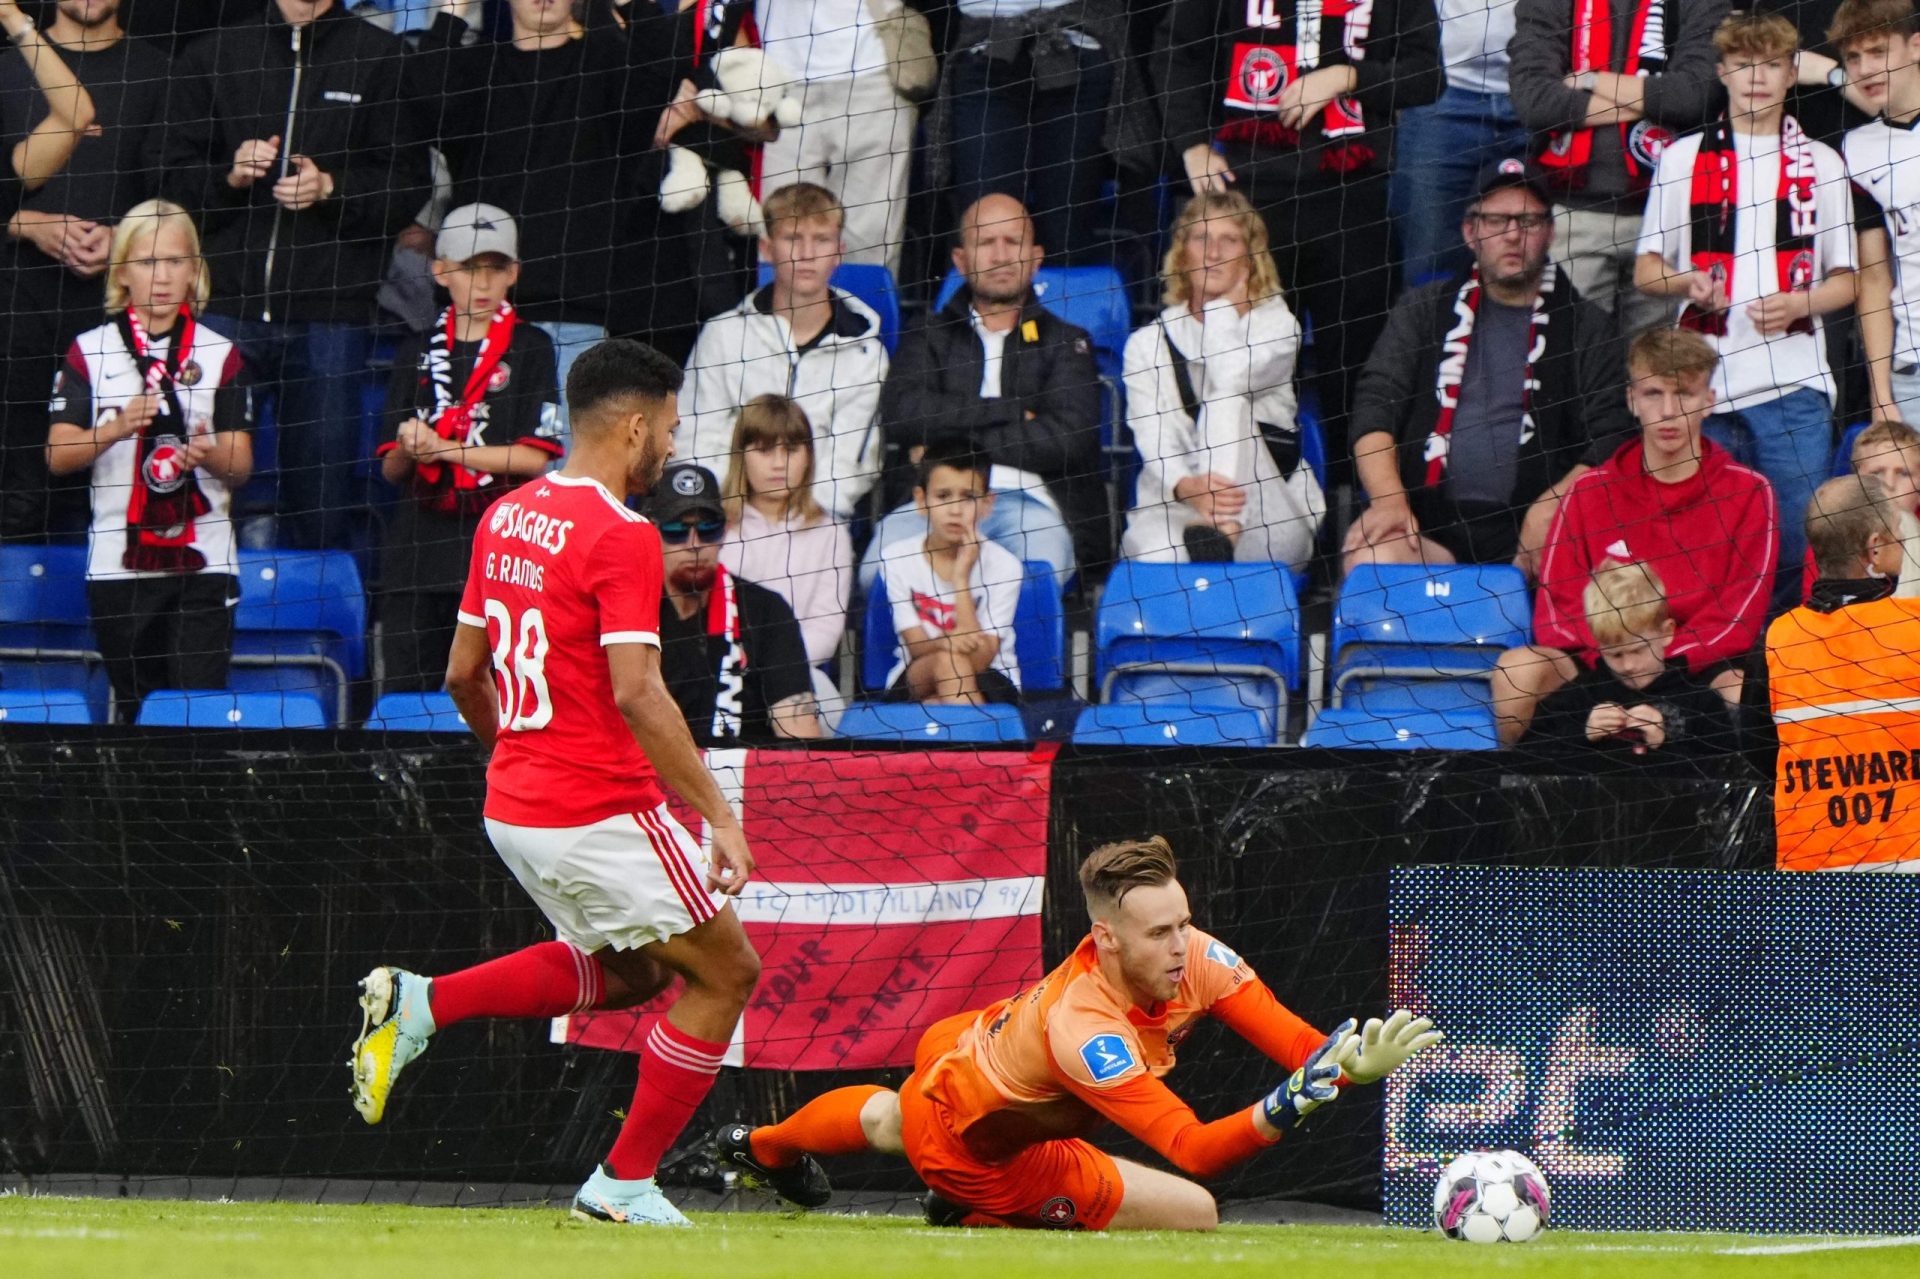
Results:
<point x="183" y="921"/>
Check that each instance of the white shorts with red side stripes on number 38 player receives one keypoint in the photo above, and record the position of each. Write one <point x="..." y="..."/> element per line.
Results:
<point x="621" y="882"/>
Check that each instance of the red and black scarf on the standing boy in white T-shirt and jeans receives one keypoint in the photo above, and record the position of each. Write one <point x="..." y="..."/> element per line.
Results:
<point x="1716" y="205"/>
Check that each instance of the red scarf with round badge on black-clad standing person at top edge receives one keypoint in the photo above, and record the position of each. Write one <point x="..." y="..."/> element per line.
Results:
<point x="1262" y="72"/>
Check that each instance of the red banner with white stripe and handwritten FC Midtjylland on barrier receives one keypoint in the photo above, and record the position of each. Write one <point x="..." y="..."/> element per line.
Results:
<point x="892" y="890"/>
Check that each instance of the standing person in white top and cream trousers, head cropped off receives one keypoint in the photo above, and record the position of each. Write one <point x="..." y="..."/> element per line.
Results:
<point x="855" y="135"/>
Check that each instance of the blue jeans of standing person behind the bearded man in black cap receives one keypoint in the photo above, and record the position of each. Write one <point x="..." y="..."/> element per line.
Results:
<point x="1439" y="151"/>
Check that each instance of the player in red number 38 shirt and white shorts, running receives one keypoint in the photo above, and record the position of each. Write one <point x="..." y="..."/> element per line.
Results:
<point x="556" y="667"/>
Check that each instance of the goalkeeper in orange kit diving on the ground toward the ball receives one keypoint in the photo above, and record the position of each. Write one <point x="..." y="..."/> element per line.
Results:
<point x="1001" y="1101"/>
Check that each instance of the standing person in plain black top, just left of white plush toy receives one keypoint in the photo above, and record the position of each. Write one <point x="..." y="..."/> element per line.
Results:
<point x="558" y="126"/>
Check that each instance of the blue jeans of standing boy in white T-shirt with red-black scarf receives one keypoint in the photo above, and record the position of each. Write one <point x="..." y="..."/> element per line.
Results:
<point x="1790" y="441"/>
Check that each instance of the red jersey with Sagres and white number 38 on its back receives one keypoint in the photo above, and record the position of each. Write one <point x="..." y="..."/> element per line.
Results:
<point x="560" y="571"/>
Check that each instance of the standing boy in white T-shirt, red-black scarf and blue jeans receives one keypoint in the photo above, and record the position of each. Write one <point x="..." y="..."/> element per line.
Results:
<point x="1752" y="224"/>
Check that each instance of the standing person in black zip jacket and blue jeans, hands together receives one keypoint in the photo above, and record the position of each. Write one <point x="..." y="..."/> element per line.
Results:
<point x="299" y="235"/>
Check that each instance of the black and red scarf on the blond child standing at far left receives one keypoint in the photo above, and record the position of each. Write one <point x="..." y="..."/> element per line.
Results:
<point x="166" y="495"/>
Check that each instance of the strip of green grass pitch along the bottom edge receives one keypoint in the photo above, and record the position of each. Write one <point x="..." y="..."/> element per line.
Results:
<point x="160" y="1240"/>
